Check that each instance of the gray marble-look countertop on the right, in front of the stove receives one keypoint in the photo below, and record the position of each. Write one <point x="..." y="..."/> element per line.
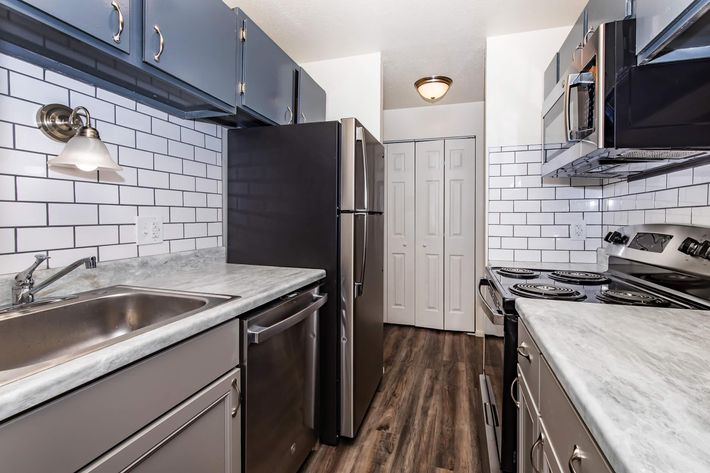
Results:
<point x="638" y="377"/>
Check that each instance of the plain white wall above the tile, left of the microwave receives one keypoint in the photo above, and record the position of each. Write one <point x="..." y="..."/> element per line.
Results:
<point x="515" y="65"/>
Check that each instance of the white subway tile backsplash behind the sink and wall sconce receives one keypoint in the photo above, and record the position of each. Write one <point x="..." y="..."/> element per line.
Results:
<point x="70" y="213"/>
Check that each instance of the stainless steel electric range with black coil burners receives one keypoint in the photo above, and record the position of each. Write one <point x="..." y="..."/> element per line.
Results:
<point x="649" y="265"/>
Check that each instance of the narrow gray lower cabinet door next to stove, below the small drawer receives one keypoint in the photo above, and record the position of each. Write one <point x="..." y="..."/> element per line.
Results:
<point x="529" y="433"/>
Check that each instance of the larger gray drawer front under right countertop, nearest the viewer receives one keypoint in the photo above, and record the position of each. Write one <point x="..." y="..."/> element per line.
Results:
<point x="565" y="430"/>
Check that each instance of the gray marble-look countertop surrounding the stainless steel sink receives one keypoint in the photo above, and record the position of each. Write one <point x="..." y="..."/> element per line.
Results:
<point x="202" y="271"/>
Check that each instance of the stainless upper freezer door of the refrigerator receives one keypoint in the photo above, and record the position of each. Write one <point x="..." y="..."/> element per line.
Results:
<point x="362" y="169"/>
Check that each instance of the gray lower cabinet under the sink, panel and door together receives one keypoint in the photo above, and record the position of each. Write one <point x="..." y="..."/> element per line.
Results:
<point x="159" y="411"/>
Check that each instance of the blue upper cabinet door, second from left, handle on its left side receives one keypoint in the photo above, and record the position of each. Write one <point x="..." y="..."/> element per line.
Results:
<point x="195" y="42"/>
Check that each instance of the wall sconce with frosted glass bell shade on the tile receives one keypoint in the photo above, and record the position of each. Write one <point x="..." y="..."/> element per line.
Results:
<point x="84" y="149"/>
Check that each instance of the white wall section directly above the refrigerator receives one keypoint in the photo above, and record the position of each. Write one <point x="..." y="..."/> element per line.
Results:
<point x="354" y="88"/>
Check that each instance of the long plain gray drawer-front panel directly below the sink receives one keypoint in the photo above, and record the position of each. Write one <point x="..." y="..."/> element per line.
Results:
<point x="95" y="418"/>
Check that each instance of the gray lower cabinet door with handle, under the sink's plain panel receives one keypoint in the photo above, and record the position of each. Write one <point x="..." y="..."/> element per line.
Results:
<point x="202" y="434"/>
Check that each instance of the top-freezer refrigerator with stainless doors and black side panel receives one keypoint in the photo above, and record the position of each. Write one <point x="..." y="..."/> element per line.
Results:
<point x="312" y="195"/>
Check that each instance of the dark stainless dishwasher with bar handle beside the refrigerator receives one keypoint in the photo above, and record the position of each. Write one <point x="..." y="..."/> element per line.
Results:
<point x="280" y="362"/>
